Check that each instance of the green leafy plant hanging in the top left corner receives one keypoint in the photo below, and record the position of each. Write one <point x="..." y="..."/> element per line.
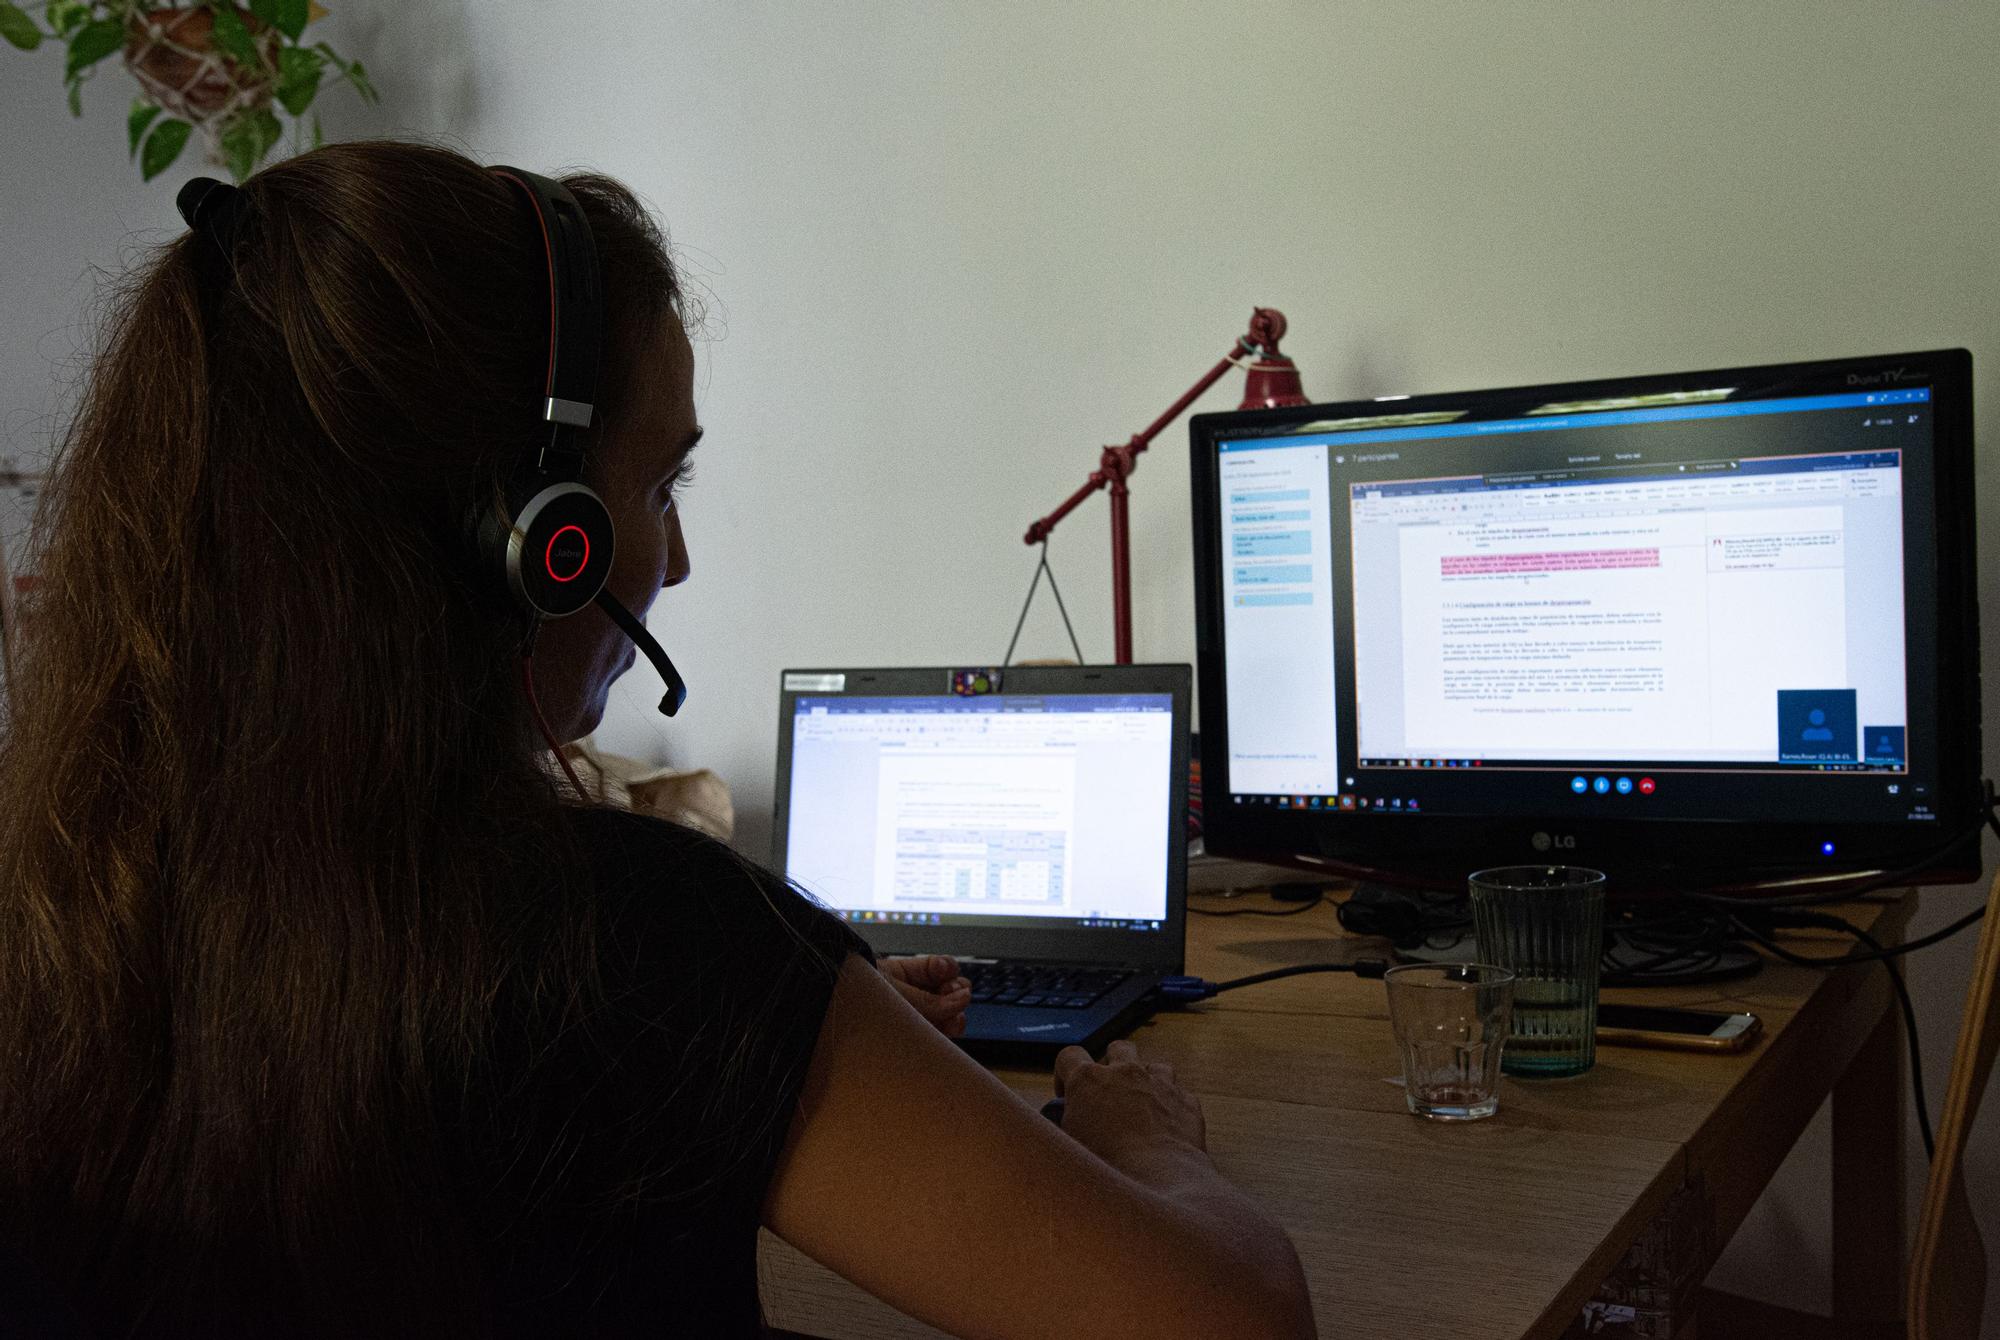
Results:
<point x="207" y="65"/>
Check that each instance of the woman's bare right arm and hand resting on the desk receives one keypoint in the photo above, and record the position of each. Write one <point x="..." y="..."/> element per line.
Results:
<point x="921" y="1177"/>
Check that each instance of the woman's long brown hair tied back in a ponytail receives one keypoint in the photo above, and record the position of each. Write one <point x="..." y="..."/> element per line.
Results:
<point x="273" y="839"/>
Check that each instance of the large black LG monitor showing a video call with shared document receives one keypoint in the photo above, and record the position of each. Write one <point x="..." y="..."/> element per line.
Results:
<point x="1701" y="631"/>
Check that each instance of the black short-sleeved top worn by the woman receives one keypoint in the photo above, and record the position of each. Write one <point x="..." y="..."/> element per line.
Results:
<point x="623" y="1167"/>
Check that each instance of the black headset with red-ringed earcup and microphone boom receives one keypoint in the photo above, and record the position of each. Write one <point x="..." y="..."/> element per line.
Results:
<point x="555" y="541"/>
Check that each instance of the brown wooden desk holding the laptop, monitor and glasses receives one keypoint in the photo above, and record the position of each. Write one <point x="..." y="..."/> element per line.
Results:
<point x="1505" y="1227"/>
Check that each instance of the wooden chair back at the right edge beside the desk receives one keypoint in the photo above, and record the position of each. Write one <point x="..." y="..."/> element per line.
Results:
<point x="1949" y="1267"/>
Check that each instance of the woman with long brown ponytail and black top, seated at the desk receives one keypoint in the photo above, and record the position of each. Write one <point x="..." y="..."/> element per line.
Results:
<point x="327" y="1009"/>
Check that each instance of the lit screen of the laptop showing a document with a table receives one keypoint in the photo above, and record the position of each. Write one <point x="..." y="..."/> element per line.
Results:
<point x="995" y="811"/>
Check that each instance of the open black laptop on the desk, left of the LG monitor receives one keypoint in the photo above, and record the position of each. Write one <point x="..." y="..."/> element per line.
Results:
<point x="1027" y="821"/>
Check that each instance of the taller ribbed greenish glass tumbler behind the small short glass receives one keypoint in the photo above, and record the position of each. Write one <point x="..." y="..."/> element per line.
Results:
<point x="1545" y="925"/>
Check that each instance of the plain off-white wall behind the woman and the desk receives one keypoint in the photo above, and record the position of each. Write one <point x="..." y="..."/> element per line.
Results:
<point x="955" y="249"/>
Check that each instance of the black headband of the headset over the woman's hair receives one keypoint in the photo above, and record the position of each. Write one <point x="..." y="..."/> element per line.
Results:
<point x="575" y="321"/>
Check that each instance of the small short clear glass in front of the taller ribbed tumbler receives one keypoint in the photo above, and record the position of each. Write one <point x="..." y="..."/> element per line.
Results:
<point x="1451" y="1027"/>
